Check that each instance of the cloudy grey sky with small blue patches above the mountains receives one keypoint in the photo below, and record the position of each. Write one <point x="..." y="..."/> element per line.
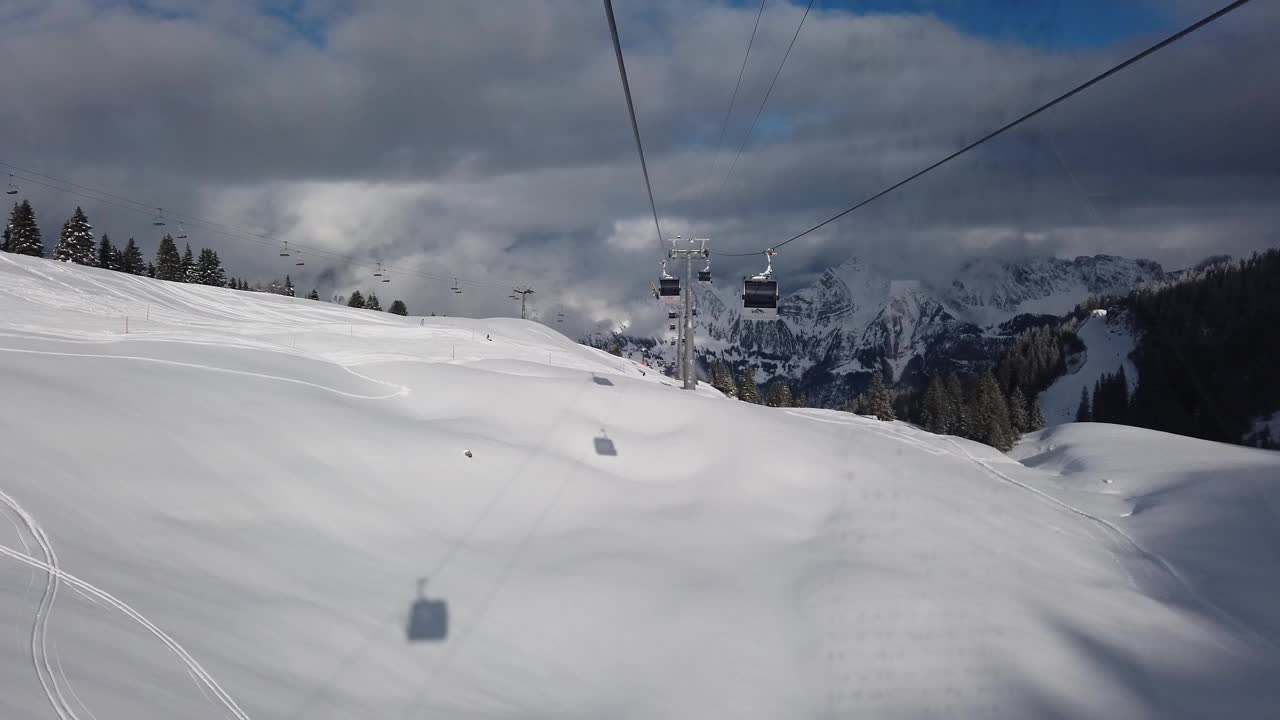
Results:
<point x="490" y="142"/>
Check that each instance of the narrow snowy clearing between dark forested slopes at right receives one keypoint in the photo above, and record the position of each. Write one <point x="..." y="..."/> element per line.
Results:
<point x="1108" y="347"/>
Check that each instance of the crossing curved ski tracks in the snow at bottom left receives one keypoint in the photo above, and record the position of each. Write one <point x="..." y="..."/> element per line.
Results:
<point x="57" y="576"/>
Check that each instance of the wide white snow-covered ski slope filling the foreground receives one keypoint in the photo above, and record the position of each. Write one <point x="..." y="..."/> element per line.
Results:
<point x="226" y="513"/>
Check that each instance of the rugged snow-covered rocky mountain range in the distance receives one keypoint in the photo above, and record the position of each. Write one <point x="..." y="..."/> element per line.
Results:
<point x="856" y="318"/>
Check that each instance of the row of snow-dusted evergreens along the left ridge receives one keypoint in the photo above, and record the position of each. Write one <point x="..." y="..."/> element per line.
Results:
<point x="76" y="244"/>
